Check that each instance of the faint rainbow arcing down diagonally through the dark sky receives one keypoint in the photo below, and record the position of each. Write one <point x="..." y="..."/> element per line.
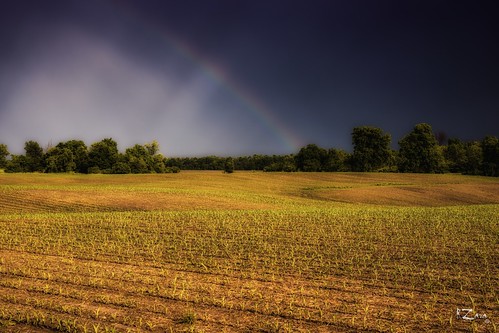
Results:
<point x="250" y="102"/>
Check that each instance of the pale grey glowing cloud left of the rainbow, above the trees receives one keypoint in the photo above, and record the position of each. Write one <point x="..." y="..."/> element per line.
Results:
<point x="79" y="86"/>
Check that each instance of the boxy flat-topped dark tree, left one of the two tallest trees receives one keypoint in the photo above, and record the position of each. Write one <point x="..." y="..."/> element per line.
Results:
<point x="371" y="149"/>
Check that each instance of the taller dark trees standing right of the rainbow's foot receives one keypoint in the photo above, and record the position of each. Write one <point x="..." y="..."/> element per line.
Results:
<point x="419" y="152"/>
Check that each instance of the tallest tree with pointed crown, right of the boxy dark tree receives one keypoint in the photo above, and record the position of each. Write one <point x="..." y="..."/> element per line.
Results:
<point x="419" y="151"/>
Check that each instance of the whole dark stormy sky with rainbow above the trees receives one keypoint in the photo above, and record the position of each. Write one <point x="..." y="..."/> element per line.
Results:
<point x="229" y="77"/>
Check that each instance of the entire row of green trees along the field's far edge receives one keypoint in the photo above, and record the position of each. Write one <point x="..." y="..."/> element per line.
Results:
<point x="419" y="151"/>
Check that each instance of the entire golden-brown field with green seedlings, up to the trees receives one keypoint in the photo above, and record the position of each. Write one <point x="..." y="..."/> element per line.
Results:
<point x="248" y="252"/>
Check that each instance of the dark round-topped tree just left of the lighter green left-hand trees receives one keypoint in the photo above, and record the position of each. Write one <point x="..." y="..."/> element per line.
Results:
<point x="103" y="155"/>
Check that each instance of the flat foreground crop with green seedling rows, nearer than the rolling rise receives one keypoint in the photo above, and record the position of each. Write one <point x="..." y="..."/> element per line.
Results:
<point x="293" y="270"/>
